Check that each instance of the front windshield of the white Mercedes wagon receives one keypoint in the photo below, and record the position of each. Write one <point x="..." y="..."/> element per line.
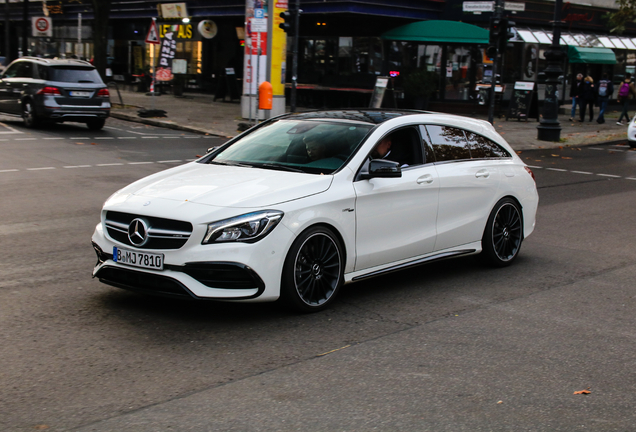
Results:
<point x="309" y="146"/>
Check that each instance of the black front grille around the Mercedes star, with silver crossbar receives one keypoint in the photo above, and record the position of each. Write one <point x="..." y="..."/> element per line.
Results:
<point x="162" y="233"/>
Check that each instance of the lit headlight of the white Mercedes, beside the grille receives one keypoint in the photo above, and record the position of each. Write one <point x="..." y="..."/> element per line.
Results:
<point x="249" y="228"/>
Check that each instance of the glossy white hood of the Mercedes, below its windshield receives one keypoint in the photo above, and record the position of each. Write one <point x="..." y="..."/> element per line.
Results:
<point x="228" y="186"/>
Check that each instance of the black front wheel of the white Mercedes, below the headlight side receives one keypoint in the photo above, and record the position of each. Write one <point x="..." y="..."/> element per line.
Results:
<point x="313" y="271"/>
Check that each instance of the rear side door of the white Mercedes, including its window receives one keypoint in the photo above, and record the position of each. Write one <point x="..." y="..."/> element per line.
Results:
<point x="468" y="186"/>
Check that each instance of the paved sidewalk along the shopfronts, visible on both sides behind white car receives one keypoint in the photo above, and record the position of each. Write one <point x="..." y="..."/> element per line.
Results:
<point x="199" y="113"/>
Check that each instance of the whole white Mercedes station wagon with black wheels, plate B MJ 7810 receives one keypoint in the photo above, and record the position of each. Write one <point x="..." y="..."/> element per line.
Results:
<point x="303" y="203"/>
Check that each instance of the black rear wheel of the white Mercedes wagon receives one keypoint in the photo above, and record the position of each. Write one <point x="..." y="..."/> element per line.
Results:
<point x="503" y="235"/>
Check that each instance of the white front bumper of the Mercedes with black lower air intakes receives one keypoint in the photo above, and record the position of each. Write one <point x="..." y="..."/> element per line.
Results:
<point x="237" y="271"/>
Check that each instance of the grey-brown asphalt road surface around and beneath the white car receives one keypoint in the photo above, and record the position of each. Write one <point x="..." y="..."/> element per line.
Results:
<point x="452" y="346"/>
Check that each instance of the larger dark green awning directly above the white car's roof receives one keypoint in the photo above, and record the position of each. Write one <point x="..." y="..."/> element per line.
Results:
<point x="439" y="31"/>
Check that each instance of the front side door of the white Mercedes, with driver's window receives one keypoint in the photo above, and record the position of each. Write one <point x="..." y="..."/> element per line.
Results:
<point x="395" y="217"/>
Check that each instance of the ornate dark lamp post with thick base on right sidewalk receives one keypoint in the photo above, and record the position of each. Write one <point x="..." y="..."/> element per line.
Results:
<point x="549" y="128"/>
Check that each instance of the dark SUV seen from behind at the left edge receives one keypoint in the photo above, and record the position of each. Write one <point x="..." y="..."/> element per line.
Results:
<point x="42" y="90"/>
